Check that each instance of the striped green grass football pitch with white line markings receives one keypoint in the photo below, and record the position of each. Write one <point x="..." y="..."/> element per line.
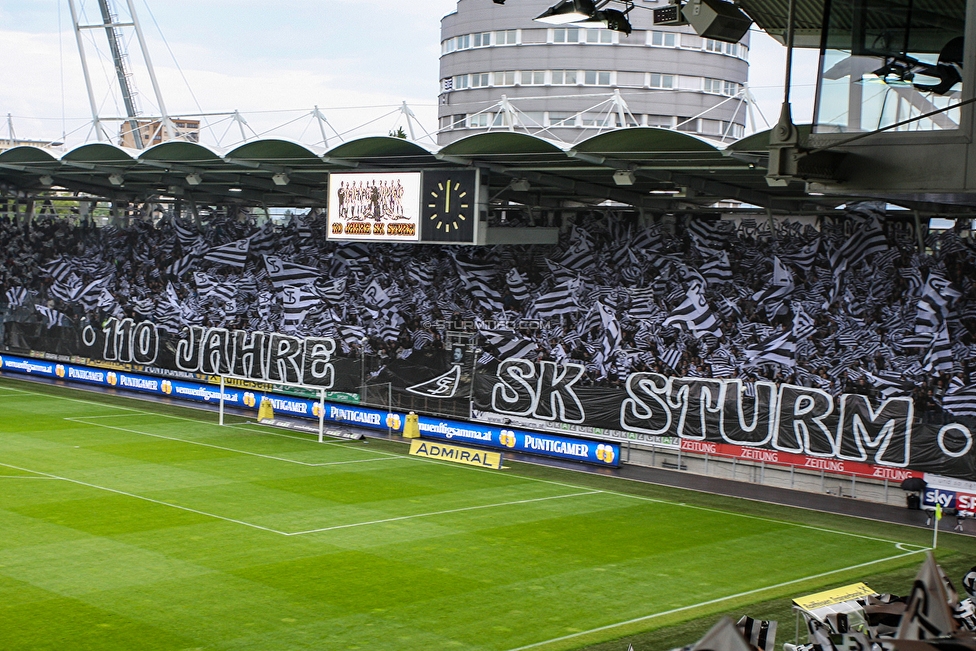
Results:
<point x="129" y="525"/>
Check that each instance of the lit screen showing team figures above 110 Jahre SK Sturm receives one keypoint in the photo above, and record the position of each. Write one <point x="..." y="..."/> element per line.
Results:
<point x="375" y="207"/>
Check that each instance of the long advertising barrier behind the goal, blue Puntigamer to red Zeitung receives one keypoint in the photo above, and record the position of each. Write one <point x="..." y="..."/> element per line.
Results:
<point x="743" y="463"/>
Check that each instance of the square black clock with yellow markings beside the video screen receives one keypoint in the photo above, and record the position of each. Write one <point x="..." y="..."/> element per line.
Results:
<point x="448" y="208"/>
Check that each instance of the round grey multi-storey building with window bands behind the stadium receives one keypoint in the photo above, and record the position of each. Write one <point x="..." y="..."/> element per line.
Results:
<point x="502" y="70"/>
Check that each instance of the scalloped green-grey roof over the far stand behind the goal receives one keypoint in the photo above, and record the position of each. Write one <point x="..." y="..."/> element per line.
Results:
<point x="667" y="166"/>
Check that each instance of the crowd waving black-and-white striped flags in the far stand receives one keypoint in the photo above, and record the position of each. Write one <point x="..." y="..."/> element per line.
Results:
<point x="388" y="300"/>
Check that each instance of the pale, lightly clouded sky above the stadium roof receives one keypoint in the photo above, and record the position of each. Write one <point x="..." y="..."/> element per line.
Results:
<point x="357" y="60"/>
